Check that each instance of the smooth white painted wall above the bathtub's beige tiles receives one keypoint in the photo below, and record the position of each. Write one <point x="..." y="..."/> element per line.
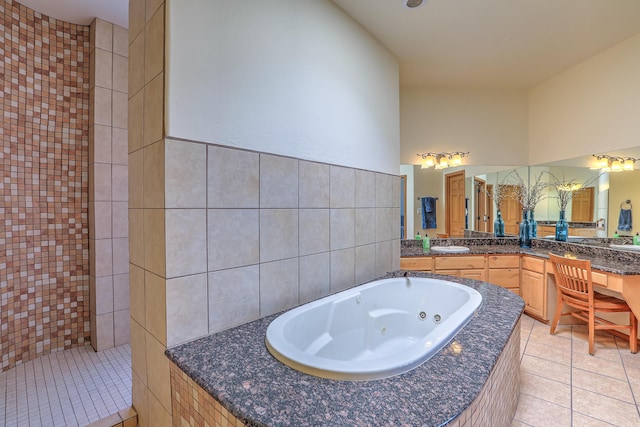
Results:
<point x="295" y="78"/>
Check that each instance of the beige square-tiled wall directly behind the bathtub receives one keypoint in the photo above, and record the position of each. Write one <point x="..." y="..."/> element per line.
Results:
<point x="260" y="252"/>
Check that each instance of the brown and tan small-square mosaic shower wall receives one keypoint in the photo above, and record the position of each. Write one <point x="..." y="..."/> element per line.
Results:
<point x="44" y="245"/>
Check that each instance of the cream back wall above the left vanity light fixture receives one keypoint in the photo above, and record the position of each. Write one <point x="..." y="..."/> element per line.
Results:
<point x="491" y="125"/>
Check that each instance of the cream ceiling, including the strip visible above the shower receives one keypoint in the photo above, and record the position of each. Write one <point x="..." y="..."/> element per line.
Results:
<point x="495" y="44"/>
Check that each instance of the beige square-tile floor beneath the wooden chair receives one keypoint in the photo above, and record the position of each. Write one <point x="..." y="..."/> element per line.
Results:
<point x="561" y="385"/>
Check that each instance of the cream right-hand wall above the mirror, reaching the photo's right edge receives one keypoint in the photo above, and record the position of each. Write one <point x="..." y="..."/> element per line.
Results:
<point x="591" y="108"/>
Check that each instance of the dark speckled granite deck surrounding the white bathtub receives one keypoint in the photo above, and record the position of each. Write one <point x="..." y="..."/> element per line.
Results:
<point x="235" y="367"/>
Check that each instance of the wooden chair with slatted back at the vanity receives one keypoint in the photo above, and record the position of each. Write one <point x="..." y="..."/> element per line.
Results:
<point x="575" y="289"/>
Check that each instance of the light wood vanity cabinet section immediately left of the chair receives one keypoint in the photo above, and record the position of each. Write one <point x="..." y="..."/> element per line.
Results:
<point x="533" y="286"/>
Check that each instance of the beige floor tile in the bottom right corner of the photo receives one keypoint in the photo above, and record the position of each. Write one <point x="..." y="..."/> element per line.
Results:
<point x="605" y="409"/>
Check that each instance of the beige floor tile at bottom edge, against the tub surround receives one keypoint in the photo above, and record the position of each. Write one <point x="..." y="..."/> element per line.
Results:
<point x="533" y="411"/>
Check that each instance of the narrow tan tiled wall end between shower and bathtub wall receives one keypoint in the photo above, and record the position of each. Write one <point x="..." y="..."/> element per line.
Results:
<point x="151" y="381"/>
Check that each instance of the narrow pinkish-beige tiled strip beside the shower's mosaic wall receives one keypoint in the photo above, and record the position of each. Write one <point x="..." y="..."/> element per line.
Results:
<point x="108" y="195"/>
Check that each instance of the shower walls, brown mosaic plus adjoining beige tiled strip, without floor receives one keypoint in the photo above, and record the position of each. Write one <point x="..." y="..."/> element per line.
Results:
<point x="63" y="229"/>
